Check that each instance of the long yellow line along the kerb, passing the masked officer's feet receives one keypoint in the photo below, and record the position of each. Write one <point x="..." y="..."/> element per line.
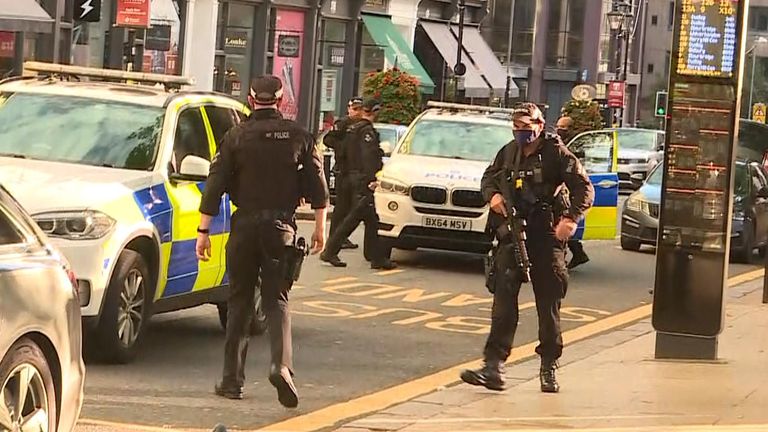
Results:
<point x="380" y="400"/>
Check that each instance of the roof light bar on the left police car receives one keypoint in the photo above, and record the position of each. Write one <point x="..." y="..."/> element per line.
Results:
<point x="40" y="68"/>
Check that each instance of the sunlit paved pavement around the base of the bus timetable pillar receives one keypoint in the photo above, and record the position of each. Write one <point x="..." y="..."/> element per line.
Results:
<point x="612" y="383"/>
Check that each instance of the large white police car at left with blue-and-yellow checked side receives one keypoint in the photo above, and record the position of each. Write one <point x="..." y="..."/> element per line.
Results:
<point x="113" y="173"/>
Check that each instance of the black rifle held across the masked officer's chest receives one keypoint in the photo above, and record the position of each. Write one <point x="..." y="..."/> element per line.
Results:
<point x="511" y="233"/>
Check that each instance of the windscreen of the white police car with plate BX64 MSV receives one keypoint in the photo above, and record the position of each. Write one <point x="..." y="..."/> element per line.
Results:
<point x="456" y="139"/>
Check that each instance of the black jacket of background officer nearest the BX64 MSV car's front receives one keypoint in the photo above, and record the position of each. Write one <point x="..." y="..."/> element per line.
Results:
<point x="363" y="153"/>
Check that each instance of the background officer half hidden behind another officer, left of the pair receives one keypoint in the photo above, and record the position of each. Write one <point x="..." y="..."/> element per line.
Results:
<point x="335" y="140"/>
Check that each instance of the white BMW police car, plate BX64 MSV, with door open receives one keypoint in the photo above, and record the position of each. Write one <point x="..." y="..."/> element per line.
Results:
<point x="429" y="191"/>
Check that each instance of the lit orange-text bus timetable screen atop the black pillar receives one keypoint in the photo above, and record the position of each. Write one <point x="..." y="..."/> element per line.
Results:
<point x="707" y="43"/>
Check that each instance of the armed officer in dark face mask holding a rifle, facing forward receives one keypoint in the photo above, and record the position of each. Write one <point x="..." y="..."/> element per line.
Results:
<point x="525" y="181"/>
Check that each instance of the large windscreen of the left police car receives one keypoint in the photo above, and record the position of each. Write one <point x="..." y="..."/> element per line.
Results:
<point x="79" y="130"/>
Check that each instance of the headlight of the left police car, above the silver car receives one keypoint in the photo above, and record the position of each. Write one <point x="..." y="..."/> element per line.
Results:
<point x="75" y="225"/>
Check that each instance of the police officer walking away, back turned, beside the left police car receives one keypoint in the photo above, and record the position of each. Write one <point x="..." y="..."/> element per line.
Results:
<point x="258" y="164"/>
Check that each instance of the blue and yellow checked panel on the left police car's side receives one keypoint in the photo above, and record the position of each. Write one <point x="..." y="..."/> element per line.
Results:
<point x="172" y="209"/>
